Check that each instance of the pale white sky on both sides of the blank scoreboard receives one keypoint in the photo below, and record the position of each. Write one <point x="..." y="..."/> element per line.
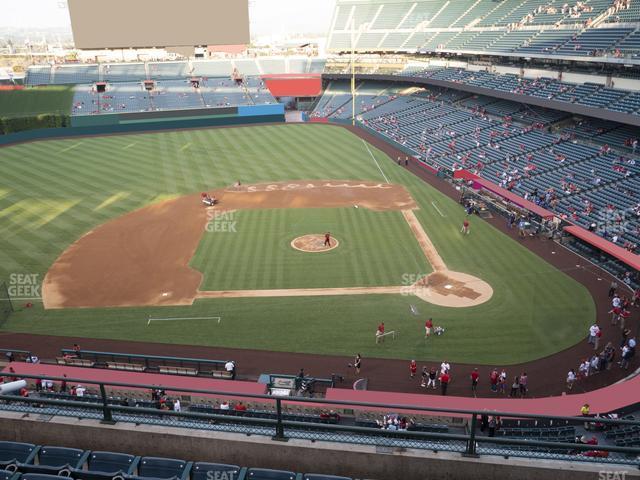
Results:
<point x="268" y="17"/>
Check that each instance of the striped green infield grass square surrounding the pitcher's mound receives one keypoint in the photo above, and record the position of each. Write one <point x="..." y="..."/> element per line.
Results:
<point x="375" y="249"/>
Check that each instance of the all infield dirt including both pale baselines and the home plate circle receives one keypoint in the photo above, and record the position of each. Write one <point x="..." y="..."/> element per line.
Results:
<point x="142" y="258"/>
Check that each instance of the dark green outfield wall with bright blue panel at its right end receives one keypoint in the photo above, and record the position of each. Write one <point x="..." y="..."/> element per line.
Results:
<point x="116" y="123"/>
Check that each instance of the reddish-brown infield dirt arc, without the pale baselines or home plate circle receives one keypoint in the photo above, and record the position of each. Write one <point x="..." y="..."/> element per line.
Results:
<point x="142" y="258"/>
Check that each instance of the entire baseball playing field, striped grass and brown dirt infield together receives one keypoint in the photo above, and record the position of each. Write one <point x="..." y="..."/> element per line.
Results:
<point x="99" y="218"/>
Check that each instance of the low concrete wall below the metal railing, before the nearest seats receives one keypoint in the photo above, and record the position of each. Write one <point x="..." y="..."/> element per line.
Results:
<point x="299" y="455"/>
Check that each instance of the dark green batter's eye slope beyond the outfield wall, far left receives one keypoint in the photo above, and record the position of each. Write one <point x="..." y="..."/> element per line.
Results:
<point x="36" y="100"/>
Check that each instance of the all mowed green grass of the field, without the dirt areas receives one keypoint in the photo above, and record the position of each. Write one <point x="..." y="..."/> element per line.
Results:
<point x="53" y="192"/>
